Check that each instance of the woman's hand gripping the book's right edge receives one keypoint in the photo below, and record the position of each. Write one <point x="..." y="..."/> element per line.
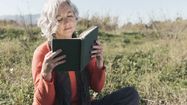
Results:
<point x="97" y="51"/>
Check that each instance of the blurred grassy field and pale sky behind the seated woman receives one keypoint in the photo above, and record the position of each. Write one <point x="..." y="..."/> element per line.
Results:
<point x="145" y="46"/>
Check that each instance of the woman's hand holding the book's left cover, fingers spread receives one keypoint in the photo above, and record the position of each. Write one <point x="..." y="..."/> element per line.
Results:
<point x="50" y="62"/>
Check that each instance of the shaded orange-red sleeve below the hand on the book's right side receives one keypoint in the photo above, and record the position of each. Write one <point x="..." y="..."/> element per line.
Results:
<point x="97" y="76"/>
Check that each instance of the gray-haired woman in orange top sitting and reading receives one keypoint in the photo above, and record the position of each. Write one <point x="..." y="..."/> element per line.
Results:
<point x="59" y="20"/>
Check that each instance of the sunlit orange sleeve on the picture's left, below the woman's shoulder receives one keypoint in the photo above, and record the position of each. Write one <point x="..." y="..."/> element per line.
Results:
<point x="44" y="91"/>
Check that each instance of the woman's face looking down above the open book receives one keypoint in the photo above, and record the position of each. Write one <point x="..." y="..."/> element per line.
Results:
<point x="66" y="22"/>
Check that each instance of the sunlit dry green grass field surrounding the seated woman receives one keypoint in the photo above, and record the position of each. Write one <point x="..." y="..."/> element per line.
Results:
<point x="152" y="58"/>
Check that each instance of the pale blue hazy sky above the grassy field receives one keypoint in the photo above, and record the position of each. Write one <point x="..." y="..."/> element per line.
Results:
<point x="126" y="10"/>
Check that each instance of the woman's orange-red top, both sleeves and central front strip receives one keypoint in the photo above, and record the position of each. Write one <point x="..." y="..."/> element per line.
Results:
<point x="44" y="91"/>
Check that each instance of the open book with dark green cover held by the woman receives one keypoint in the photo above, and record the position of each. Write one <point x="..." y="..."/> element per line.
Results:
<point x="77" y="50"/>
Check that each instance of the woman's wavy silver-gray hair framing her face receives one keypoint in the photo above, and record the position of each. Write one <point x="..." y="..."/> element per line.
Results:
<point x="47" y="21"/>
